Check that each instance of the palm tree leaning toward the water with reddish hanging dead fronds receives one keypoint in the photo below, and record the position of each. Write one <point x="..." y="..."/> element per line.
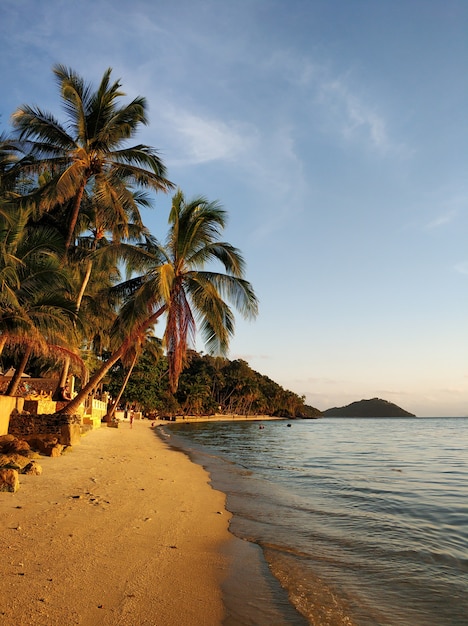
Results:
<point x="176" y="283"/>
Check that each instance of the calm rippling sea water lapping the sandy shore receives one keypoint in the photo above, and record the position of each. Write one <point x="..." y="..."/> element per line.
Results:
<point x="342" y="520"/>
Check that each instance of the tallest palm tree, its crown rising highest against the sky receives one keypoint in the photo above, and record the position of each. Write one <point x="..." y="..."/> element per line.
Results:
<point x="89" y="154"/>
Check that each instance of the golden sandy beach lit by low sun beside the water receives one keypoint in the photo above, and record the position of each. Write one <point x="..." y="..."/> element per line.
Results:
<point x="120" y="531"/>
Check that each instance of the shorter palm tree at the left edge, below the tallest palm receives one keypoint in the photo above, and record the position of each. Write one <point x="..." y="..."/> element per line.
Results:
<point x="35" y="313"/>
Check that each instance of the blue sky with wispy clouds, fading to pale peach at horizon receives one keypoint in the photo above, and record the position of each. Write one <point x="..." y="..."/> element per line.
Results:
<point x="334" y="133"/>
